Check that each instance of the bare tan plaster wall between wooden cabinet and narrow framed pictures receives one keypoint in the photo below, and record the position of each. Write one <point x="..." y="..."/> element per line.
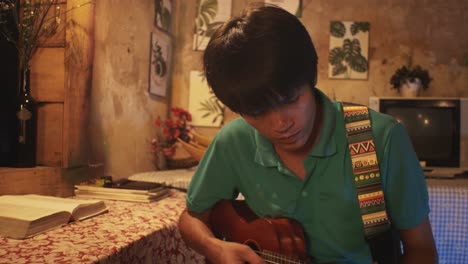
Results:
<point x="122" y="110"/>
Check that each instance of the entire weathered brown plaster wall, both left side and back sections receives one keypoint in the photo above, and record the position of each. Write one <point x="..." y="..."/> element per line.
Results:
<point x="432" y="31"/>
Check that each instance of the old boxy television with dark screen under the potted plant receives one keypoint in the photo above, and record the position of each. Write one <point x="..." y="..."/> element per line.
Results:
<point x="438" y="128"/>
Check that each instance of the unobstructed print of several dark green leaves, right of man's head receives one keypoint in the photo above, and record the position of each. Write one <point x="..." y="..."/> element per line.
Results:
<point x="349" y="47"/>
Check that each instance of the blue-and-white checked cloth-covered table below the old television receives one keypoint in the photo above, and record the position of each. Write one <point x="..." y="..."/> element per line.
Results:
<point x="448" y="200"/>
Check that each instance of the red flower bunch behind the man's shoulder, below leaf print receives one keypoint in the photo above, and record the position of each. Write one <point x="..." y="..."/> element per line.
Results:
<point x="170" y="130"/>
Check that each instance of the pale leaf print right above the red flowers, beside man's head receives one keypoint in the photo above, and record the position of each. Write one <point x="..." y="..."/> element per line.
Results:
<point x="206" y="109"/>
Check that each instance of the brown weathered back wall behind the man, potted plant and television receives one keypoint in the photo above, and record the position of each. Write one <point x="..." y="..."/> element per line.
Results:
<point x="433" y="32"/>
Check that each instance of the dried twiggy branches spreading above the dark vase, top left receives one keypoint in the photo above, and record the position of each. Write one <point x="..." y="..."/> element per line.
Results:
<point x="35" y="22"/>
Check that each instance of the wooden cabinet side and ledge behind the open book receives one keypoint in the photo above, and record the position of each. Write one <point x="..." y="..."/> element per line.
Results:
<point x="61" y="74"/>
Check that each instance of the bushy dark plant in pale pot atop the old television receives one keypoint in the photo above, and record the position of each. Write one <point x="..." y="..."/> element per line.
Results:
<point x="409" y="80"/>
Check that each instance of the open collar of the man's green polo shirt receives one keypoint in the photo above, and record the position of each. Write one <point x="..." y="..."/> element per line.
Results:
<point x="266" y="155"/>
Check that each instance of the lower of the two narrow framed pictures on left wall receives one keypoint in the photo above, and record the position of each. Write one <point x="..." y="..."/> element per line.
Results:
<point x="160" y="62"/>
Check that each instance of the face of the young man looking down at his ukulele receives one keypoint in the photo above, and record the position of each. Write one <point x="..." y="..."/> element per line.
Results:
<point x="289" y="127"/>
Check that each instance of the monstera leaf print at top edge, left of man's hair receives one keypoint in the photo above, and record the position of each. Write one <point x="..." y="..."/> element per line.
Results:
<point x="211" y="14"/>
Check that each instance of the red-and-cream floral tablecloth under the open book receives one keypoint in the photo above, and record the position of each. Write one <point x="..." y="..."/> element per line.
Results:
<point x="128" y="233"/>
